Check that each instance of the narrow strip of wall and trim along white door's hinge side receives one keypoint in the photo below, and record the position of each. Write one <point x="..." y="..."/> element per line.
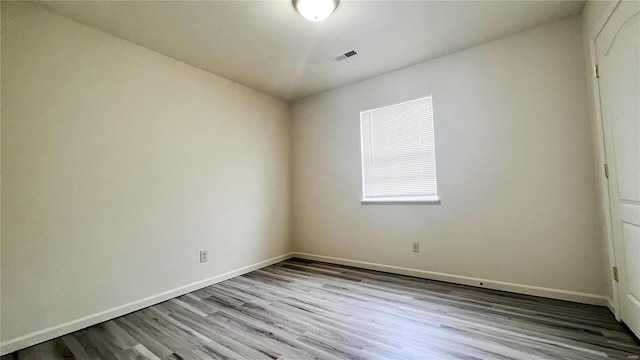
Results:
<point x="594" y="15"/>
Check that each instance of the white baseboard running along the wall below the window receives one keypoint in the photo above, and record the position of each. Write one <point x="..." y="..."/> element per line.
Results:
<point x="580" y="297"/>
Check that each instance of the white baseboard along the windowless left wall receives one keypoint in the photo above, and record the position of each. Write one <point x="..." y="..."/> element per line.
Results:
<point x="22" y="342"/>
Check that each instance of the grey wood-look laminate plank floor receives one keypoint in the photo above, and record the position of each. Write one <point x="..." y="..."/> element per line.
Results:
<point x="309" y="310"/>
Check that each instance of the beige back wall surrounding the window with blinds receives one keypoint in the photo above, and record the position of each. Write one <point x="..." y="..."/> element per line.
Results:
<point x="514" y="162"/>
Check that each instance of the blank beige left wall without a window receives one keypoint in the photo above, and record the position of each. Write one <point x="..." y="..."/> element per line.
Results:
<point x="119" y="165"/>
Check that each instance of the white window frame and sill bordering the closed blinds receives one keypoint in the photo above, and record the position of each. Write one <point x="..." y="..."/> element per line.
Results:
<point x="417" y="199"/>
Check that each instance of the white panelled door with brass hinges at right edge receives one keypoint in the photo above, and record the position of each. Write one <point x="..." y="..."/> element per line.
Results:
<point x="618" y="56"/>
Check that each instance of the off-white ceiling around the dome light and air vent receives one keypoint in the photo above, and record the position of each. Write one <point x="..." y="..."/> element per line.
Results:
<point x="268" y="46"/>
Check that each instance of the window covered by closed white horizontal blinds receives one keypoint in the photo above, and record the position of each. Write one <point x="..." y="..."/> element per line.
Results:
<point x="398" y="153"/>
